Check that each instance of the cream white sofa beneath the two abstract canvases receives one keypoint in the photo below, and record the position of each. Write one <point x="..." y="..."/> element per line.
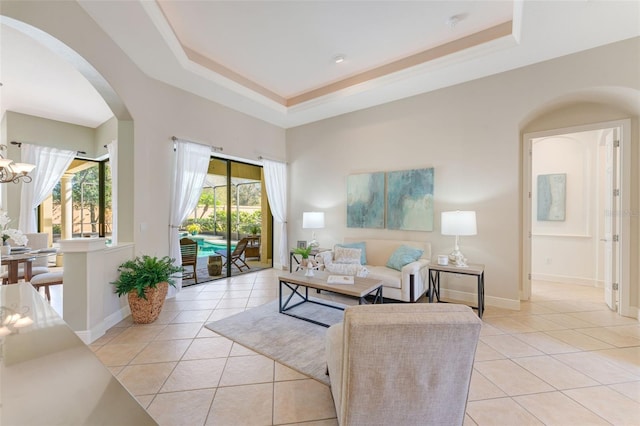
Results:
<point x="407" y="285"/>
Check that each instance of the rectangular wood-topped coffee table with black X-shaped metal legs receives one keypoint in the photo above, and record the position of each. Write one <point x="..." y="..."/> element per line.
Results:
<point x="361" y="288"/>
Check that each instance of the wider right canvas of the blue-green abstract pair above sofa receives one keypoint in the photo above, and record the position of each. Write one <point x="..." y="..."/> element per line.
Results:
<point x="410" y="200"/>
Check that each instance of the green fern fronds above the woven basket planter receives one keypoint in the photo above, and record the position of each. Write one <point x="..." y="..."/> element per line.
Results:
<point x="145" y="272"/>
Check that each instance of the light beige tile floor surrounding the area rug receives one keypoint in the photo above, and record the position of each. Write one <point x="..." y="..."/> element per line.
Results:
<point x="563" y="359"/>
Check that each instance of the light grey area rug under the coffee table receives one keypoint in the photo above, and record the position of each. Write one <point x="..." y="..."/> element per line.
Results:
<point x="293" y="342"/>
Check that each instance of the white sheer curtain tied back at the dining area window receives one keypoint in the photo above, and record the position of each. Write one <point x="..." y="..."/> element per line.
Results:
<point x="51" y="163"/>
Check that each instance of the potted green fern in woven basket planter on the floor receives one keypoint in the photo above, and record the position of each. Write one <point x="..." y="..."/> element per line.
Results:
<point x="145" y="280"/>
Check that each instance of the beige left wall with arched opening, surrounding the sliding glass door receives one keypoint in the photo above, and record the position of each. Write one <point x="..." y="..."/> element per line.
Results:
<point x="158" y="112"/>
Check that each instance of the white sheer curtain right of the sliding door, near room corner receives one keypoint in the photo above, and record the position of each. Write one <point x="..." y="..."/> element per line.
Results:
<point x="275" y="177"/>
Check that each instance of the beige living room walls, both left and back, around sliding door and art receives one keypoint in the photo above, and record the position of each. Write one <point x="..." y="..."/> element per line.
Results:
<point x="470" y="133"/>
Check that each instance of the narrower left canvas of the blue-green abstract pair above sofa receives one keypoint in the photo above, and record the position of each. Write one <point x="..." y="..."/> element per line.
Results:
<point x="365" y="200"/>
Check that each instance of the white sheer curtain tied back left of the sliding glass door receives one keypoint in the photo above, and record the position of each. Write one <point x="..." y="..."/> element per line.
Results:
<point x="189" y="170"/>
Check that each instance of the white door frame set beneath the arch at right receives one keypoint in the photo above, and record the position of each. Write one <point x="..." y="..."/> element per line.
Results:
<point x="624" y="173"/>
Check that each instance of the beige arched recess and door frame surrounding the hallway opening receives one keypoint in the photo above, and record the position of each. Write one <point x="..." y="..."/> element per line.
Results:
<point x="582" y="112"/>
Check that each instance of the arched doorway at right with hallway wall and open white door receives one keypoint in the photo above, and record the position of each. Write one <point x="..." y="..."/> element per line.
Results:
<point x="590" y="209"/>
